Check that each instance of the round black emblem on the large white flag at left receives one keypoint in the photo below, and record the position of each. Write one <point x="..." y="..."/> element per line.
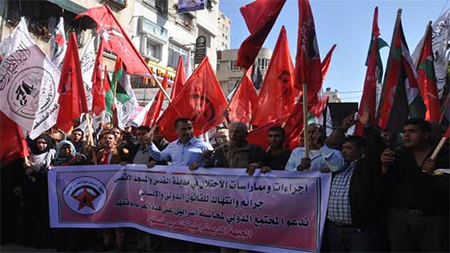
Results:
<point x="27" y="87"/>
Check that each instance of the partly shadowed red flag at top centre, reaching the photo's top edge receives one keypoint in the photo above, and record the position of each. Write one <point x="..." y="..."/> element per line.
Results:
<point x="260" y="16"/>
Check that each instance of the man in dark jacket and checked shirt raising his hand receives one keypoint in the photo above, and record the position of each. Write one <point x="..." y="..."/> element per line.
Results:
<point x="355" y="209"/>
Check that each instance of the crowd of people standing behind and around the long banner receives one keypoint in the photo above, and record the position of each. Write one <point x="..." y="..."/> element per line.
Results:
<point x="385" y="193"/>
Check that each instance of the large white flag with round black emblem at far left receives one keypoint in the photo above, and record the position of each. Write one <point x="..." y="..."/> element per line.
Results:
<point x="28" y="84"/>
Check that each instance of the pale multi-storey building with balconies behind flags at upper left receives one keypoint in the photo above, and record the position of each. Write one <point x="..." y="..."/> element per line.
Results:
<point x="156" y="28"/>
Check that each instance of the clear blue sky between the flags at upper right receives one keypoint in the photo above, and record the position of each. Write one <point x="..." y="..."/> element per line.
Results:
<point x="347" y="23"/>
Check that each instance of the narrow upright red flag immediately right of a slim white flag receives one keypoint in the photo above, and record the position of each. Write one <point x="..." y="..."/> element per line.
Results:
<point x="98" y="83"/>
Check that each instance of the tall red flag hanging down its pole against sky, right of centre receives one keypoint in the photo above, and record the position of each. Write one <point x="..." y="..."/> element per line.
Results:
<point x="307" y="61"/>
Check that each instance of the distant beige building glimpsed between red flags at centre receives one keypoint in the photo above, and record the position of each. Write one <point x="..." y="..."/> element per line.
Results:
<point x="229" y="73"/>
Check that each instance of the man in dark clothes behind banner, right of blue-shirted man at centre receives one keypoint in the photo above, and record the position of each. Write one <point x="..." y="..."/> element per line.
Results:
<point x="237" y="153"/>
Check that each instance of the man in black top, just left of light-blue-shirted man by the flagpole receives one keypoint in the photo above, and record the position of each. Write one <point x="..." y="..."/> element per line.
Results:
<point x="277" y="155"/>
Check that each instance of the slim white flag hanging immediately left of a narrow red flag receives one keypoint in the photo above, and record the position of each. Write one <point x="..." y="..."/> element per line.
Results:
<point x="87" y="69"/>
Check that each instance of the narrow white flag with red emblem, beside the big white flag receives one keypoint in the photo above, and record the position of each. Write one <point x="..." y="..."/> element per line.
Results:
<point x="58" y="44"/>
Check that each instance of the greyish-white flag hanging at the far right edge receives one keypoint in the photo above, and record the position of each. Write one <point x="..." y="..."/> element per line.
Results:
<point x="440" y="40"/>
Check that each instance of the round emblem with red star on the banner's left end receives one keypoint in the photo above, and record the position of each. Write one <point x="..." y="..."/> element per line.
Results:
<point x="85" y="195"/>
